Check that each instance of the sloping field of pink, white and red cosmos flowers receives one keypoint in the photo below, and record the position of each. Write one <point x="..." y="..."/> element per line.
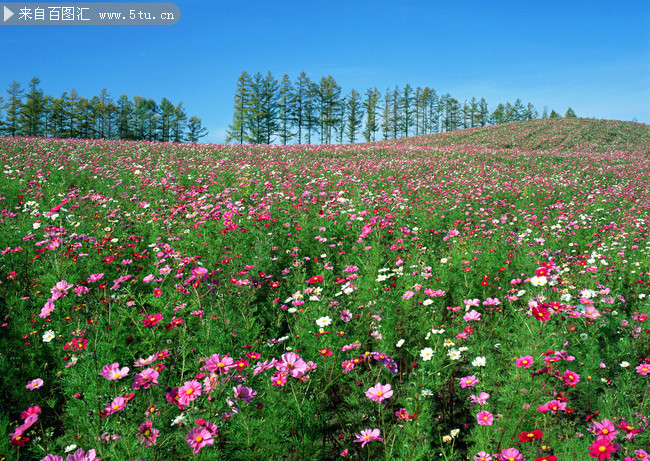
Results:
<point x="479" y="294"/>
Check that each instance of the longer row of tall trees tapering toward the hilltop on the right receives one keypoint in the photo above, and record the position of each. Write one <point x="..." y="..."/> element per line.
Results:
<point x="310" y="111"/>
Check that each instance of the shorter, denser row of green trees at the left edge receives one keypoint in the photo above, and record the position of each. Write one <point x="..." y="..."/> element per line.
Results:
<point x="100" y="117"/>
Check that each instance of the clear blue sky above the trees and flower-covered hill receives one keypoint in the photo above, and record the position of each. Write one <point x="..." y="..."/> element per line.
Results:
<point x="593" y="56"/>
